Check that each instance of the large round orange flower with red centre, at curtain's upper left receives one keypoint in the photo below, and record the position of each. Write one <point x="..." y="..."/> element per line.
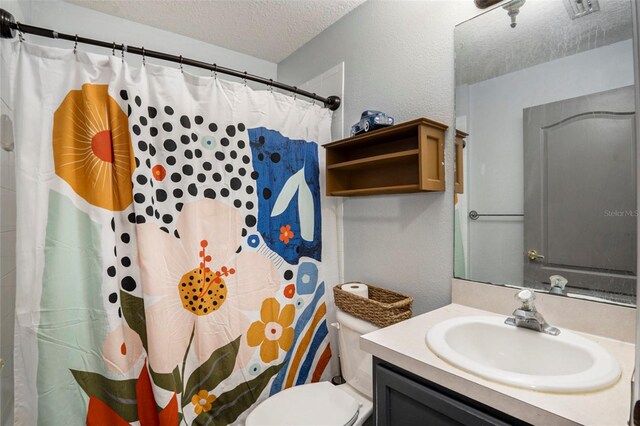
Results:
<point x="92" y="147"/>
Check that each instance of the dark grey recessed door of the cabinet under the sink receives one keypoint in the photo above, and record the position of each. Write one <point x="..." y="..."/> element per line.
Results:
<point x="403" y="402"/>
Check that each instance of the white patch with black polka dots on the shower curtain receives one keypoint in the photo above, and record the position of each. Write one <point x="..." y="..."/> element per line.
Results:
<point x="200" y="158"/>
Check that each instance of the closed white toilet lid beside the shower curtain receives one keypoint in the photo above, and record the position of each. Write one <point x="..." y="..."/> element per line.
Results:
<point x="314" y="404"/>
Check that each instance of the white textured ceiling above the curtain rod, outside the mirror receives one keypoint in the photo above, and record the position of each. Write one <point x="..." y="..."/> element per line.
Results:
<point x="267" y="29"/>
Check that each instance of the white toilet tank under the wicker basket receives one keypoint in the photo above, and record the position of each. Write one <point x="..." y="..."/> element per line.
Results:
<point x="355" y="363"/>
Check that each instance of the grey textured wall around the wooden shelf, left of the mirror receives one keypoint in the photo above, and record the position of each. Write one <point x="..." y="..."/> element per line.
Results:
<point x="398" y="58"/>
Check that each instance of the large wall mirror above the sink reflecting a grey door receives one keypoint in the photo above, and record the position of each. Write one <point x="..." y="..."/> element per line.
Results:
<point x="545" y="91"/>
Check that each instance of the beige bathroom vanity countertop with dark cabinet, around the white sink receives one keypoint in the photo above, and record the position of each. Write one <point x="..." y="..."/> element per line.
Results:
<point x="411" y="382"/>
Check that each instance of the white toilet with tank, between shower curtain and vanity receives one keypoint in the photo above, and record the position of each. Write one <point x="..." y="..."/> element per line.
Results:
<point x="323" y="404"/>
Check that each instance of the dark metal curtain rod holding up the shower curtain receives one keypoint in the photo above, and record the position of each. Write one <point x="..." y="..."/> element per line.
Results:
<point x="9" y="27"/>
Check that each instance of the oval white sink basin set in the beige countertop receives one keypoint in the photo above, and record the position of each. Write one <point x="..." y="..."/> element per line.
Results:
<point x="487" y="347"/>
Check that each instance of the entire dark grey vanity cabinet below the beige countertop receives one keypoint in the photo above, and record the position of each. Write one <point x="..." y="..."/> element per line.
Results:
<point x="403" y="399"/>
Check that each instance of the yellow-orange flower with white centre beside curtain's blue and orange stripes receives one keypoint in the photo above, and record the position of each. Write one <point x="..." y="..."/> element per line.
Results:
<point x="273" y="330"/>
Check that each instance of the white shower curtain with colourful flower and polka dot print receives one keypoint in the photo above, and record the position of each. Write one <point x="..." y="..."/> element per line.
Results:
<point x="174" y="248"/>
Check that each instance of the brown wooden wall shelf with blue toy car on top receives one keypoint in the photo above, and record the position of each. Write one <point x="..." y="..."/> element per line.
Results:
<point x="407" y="157"/>
